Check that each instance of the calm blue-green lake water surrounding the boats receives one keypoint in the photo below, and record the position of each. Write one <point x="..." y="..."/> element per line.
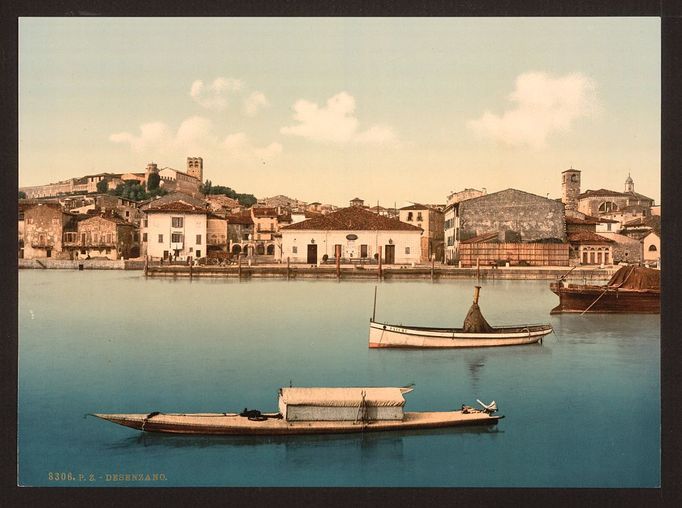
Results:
<point x="582" y="409"/>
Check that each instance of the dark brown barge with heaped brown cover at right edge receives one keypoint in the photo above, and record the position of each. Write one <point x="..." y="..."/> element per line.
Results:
<point x="632" y="289"/>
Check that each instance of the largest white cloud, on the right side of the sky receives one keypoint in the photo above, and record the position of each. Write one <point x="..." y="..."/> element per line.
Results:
<point x="543" y="105"/>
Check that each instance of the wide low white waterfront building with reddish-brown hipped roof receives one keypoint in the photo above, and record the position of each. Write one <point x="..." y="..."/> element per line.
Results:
<point x="360" y="236"/>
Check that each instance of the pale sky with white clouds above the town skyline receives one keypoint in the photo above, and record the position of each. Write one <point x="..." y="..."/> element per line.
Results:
<point x="391" y="110"/>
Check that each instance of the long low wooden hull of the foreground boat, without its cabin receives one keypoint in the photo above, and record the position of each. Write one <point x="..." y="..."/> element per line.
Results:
<point x="233" y="424"/>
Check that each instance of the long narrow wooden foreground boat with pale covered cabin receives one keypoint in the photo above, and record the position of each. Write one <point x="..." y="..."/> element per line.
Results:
<point x="313" y="411"/>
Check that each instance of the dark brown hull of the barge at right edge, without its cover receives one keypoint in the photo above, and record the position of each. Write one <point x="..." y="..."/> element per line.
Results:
<point x="598" y="299"/>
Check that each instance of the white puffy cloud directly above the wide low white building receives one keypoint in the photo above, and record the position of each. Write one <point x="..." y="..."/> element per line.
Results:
<point x="334" y="123"/>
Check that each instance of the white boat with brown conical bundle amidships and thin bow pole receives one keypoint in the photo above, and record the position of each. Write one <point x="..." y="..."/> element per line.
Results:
<point x="476" y="332"/>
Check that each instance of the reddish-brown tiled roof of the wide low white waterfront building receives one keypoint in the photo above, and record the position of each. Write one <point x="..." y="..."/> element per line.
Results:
<point x="352" y="218"/>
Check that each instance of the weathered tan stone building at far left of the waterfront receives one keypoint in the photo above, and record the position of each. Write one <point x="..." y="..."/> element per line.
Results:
<point x="44" y="228"/>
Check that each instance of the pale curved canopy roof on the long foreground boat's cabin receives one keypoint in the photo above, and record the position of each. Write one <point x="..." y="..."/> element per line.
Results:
<point x="342" y="397"/>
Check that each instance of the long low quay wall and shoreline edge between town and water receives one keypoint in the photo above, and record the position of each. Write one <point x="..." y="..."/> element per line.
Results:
<point x="344" y="272"/>
